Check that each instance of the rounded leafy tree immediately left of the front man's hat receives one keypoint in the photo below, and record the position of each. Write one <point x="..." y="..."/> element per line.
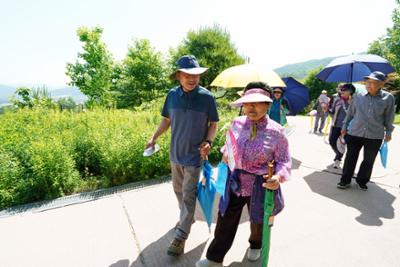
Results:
<point x="141" y="77"/>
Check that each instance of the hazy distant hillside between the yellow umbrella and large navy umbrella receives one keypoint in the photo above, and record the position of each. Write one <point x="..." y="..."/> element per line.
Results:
<point x="301" y="69"/>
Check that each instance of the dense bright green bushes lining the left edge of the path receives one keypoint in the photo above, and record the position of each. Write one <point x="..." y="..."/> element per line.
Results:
<point x="45" y="154"/>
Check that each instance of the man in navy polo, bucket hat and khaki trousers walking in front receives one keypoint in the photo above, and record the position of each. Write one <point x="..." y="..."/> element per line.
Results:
<point x="191" y="112"/>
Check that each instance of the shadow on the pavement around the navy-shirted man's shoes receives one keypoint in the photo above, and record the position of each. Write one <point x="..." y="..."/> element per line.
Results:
<point x="155" y="255"/>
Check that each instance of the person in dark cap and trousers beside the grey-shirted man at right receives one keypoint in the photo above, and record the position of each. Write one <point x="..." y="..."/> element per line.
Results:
<point x="338" y="110"/>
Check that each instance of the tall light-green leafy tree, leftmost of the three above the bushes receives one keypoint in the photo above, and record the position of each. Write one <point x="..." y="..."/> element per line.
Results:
<point x="93" y="70"/>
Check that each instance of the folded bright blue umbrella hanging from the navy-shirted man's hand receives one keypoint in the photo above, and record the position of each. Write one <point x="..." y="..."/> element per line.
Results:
<point x="206" y="192"/>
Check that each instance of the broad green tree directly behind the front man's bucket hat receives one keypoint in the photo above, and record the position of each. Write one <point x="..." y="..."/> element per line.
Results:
<point x="213" y="48"/>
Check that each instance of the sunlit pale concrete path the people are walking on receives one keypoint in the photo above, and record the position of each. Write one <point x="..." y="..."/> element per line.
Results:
<point x="320" y="226"/>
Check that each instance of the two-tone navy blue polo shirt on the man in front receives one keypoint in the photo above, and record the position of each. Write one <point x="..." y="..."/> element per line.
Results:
<point x="190" y="114"/>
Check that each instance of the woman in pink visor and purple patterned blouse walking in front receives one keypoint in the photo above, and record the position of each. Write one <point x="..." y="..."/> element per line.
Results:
<point x="259" y="140"/>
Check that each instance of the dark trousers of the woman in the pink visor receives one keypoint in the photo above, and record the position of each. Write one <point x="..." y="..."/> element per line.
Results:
<point x="227" y="226"/>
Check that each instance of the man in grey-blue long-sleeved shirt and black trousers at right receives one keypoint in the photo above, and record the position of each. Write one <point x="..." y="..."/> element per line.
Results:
<point x="369" y="120"/>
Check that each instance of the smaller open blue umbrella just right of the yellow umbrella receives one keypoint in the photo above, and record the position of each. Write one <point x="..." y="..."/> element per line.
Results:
<point x="296" y="95"/>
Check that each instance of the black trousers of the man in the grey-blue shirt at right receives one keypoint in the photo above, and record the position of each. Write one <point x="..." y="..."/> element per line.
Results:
<point x="354" y="145"/>
